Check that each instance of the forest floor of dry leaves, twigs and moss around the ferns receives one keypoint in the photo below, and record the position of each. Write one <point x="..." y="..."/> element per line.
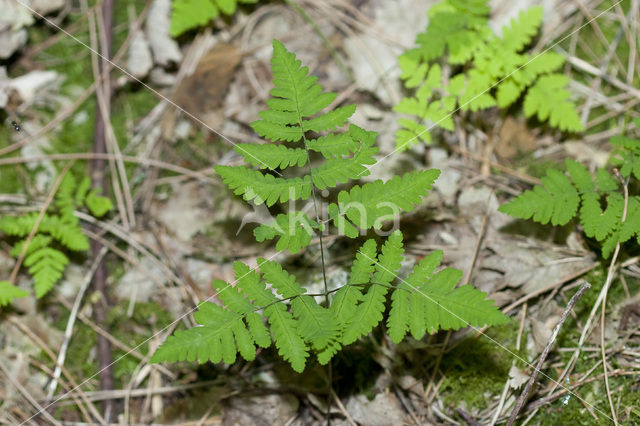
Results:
<point x="175" y="227"/>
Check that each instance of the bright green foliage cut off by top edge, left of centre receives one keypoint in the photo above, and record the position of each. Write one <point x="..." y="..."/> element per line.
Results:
<point x="190" y="14"/>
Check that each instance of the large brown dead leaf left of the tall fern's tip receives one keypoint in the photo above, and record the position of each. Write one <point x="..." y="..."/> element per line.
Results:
<point x="206" y="88"/>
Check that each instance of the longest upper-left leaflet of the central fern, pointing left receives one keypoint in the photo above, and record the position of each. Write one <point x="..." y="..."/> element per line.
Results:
<point x="264" y="188"/>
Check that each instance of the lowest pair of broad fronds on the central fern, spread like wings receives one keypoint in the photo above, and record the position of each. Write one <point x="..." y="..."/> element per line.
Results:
<point x="430" y="302"/>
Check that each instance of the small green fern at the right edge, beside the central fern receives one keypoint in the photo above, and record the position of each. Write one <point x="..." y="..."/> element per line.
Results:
<point x="597" y="201"/>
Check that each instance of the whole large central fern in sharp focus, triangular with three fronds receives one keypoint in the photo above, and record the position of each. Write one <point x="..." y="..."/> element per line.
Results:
<point x="267" y="303"/>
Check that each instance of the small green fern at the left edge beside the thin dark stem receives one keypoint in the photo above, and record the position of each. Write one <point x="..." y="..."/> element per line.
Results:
<point x="58" y="231"/>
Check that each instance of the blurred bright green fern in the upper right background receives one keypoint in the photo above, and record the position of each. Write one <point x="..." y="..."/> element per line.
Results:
<point x="458" y="59"/>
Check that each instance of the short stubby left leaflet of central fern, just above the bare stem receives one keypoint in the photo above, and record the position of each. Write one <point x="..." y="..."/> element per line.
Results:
<point x="294" y="231"/>
